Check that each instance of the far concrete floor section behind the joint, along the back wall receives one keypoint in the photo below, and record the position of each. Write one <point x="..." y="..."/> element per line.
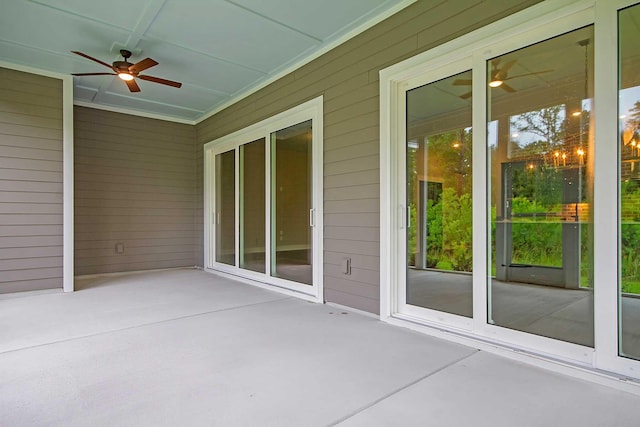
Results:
<point x="109" y="303"/>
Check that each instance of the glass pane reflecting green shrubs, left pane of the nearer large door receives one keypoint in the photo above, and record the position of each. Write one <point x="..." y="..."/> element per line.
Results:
<point x="439" y="252"/>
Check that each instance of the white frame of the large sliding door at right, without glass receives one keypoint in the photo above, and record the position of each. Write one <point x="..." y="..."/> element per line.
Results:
<point x="537" y="23"/>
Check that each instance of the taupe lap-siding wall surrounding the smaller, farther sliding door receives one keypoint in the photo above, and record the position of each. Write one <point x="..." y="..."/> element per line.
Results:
<point x="347" y="76"/>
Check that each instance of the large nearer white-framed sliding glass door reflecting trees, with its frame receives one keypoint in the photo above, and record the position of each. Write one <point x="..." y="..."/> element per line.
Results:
<point x="510" y="185"/>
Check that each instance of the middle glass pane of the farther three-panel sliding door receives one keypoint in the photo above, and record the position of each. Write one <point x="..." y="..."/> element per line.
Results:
<point x="252" y="206"/>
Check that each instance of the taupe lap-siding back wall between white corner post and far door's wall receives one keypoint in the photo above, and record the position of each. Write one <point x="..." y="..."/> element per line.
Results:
<point x="135" y="185"/>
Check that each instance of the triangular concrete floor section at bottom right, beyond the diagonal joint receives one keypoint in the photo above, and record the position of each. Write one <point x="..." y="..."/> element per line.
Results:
<point x="487" y="390"/>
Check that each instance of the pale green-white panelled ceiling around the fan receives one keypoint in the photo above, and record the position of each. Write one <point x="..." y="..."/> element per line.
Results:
<point x="219" y="49"/>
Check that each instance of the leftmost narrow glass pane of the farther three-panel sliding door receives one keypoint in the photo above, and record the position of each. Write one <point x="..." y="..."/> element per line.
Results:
<point x="226" y="208"/>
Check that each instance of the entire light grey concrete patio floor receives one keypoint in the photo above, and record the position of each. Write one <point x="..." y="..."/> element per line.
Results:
<point x="183" y="347"/>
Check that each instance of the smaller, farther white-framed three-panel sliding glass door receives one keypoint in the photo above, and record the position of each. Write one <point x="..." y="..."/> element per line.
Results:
<point x="265" y="198"/>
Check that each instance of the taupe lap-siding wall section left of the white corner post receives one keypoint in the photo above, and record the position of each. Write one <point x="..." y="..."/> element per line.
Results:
<point x="30" y="182"/>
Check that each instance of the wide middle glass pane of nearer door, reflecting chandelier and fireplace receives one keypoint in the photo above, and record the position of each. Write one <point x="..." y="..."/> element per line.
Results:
<point x="540" y="148"/>
